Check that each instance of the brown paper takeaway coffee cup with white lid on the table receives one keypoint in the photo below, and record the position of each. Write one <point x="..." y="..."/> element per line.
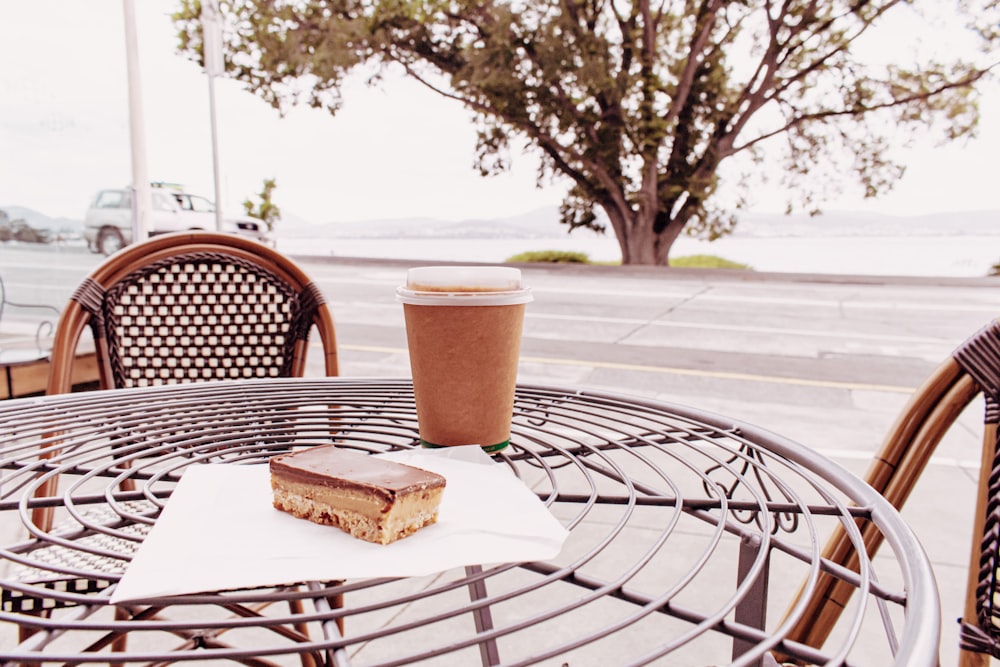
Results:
<point x="463" y="330"/>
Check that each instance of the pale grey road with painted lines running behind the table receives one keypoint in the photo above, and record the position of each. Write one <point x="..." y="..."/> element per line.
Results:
<point x="743" y="343"/>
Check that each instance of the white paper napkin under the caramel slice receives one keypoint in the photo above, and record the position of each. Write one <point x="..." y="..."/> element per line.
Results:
<point x="219" y="531"/>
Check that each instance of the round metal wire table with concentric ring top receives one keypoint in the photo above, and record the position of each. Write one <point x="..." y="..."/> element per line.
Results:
<point x="691" y="536"/>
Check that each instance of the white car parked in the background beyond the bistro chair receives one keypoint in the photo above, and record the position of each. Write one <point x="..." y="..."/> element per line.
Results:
<point x="107" y="226"/>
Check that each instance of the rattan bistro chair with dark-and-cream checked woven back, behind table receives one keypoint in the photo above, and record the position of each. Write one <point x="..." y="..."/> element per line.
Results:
<point x="184" y="307"/>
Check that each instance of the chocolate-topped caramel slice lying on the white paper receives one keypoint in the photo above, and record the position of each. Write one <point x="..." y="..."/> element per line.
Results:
<point x="371" y="498"/>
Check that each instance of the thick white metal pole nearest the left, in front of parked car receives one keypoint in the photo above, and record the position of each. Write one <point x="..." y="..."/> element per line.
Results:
<point x="142" y="205"/>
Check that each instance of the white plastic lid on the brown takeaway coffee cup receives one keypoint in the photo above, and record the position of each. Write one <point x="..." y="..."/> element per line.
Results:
<point x="463" y="286"/>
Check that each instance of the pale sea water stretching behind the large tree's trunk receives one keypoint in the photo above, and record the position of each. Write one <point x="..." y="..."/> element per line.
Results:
<point x="862" y="249"/>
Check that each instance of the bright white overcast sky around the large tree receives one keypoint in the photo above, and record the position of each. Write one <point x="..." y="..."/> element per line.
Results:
<point x="394" y="151"/>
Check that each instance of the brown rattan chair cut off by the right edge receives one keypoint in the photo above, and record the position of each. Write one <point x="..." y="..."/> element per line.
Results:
<point x="973" y="368"/>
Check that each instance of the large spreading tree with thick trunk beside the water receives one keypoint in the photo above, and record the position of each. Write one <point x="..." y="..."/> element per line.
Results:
<point x="640" y="105"/>
